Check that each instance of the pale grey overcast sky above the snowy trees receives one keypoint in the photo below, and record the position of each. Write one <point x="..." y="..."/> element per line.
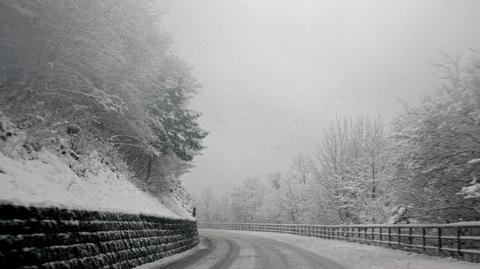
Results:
<point x="275" y="72"/>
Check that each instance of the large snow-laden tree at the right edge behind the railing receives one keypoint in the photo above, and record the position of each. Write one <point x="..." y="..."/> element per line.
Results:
<point x="435" y="142"/>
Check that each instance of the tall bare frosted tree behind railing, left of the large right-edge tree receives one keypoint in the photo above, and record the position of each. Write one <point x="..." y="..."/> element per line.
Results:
<point x="352" y="159"/>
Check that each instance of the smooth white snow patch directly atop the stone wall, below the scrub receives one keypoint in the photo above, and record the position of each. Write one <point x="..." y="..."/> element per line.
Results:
<point x="48" y="181"/>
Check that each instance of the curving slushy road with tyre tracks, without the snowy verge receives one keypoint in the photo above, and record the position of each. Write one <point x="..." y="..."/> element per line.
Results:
<point x="223" y="249"/>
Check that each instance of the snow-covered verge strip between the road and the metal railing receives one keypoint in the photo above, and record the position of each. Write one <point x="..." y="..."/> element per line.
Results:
<point x="361" y="256"/>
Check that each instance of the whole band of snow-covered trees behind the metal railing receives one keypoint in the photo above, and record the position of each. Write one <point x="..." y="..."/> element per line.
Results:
<point x="423" y="166"/>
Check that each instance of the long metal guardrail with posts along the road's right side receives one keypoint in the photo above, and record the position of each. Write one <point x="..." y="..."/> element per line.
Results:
<point x="460" y="240"/>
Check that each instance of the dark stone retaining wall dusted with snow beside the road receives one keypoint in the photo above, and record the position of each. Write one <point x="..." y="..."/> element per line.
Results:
<point x="37" y="237"/>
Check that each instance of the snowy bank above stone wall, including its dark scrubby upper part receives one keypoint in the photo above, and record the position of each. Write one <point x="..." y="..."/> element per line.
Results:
<point x="41" y="168"/>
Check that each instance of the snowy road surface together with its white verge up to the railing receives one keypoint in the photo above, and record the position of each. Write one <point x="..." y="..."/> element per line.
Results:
<point x="240" y="249"/>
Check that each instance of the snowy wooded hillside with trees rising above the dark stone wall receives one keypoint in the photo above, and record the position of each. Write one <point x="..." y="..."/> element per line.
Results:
<point x="94" y="107"/>
